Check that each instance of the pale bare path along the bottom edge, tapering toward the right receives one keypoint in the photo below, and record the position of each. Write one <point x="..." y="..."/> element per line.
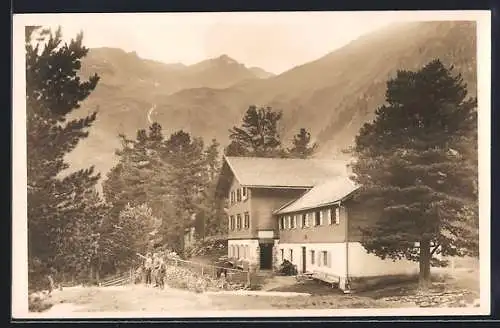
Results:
<point x="140" y="298"/>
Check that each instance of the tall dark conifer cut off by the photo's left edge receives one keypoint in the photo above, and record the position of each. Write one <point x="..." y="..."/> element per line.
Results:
<point x="53" y="90"/>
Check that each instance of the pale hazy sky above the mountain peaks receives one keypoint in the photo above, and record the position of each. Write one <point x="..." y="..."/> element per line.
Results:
<point x="273" y="41"/>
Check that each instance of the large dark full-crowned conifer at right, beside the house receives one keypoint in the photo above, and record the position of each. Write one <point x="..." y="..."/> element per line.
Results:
<point x="417" y="164"/>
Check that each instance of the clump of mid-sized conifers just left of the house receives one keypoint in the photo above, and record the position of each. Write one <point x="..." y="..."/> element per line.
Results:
<point x="169" y="175"/>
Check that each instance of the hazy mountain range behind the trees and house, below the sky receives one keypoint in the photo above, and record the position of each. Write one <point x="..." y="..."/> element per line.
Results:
<point x="332" y="96"/>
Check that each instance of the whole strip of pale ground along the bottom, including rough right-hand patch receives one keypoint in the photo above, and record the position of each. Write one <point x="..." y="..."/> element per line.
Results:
<point x="139" y="298"/>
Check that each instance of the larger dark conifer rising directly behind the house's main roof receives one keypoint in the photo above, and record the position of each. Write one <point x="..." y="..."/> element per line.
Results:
<point x="258" y="134"/>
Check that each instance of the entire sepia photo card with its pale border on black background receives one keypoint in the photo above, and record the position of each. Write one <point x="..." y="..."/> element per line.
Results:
<point x="251" y="164"/>
